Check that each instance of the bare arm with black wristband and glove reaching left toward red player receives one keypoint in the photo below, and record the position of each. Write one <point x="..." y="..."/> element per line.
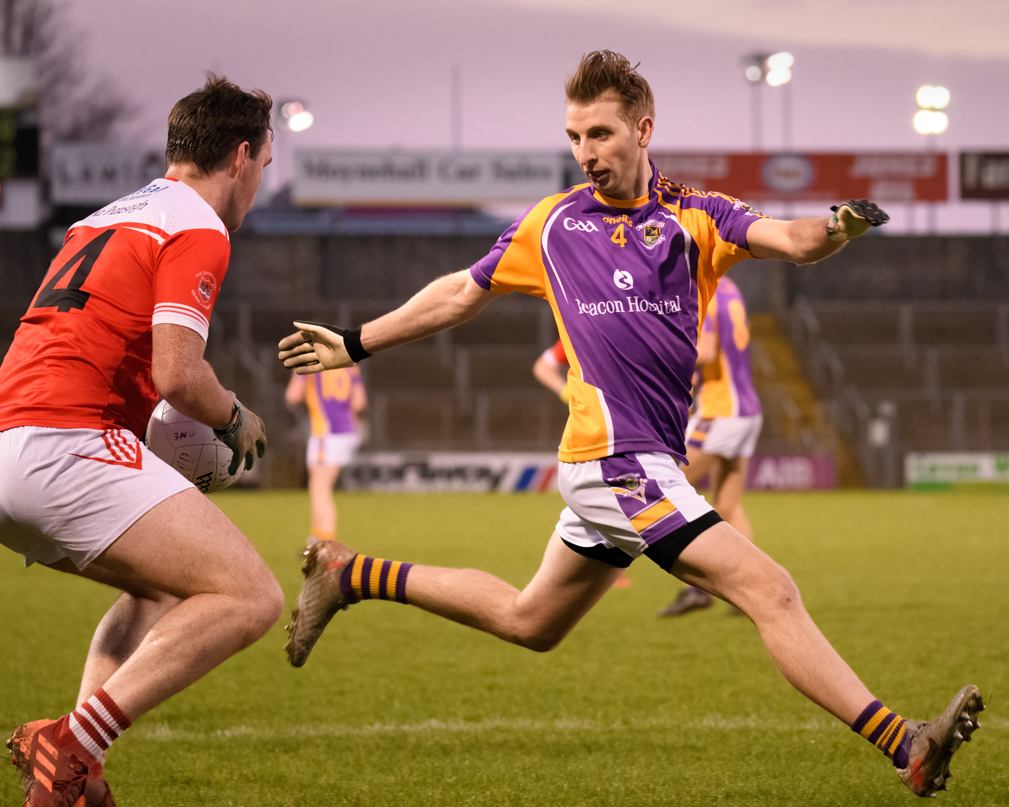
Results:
<point x="445" y="303"/>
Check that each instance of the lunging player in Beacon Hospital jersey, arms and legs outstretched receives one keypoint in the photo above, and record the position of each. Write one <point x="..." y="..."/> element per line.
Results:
<point x="629" y="264"/>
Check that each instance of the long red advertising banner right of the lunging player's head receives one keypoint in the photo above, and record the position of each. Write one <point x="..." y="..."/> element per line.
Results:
<point x="811" y="177"/>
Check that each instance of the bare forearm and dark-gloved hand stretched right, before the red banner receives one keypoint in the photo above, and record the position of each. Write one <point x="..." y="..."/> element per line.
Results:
<point x="812" y="240"/>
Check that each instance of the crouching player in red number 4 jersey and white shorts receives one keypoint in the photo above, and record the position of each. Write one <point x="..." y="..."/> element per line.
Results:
<point x="122" y="318"/>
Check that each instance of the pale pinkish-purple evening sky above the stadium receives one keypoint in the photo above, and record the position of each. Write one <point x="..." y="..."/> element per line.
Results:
<point x="378" y="74"/>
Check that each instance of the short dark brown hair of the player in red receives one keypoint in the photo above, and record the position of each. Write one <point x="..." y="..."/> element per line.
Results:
<point x="207" y="125"/>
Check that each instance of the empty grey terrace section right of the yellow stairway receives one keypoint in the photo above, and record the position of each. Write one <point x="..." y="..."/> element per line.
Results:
<point x="922" y="376"/>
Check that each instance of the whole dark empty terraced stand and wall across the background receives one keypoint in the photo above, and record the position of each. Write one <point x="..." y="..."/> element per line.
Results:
<point x="904" y="339"/>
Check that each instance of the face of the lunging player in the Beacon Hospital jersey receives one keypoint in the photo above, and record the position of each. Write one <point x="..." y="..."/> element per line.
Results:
<point x="608" y="150"/>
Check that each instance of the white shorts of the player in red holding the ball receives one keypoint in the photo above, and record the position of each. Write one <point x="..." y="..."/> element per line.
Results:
<point x="72" y="493"/>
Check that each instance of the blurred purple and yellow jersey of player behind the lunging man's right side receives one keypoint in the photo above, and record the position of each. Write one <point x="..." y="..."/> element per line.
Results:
<point x="727" y="386"/>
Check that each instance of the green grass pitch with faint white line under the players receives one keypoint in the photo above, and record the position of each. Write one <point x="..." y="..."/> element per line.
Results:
<point x="398" y="708"/>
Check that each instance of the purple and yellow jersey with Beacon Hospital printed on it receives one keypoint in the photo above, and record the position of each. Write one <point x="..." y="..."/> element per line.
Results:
<point x="630" y="283"/>
